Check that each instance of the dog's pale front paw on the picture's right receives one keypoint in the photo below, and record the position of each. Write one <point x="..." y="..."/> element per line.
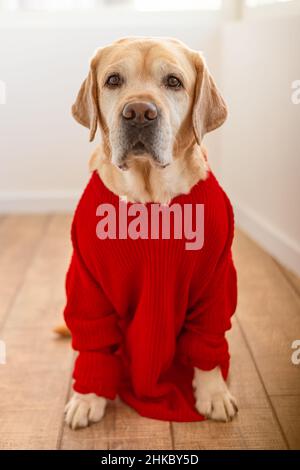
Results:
<point x="213" y="399"/>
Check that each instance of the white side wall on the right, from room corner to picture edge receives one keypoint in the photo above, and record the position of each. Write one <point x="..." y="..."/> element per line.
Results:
<point x="260" y="149"/>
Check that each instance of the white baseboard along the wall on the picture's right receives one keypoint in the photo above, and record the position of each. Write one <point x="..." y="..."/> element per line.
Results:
<point x="281" y="247"/>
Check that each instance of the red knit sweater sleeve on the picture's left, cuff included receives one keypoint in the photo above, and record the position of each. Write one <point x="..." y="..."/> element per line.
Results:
<point x="95" y="334"/>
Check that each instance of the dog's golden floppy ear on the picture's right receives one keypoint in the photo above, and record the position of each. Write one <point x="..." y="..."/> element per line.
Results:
<point x="209" y="110"/>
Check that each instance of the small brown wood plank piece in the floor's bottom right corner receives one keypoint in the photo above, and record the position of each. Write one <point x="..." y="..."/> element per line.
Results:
<point x="287" y="408"/>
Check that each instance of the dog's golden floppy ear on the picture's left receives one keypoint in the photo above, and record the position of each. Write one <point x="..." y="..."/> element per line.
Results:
<point x="86" y="107"/>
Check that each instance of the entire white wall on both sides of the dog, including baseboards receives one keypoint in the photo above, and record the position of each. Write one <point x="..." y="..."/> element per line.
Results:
<point x="256" y="154"/>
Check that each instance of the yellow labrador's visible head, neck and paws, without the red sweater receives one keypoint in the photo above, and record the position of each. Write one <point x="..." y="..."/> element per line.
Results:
<point x="164" y="87"/>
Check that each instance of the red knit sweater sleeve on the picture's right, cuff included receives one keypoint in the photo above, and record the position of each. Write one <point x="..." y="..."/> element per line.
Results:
<point x="202" y="341"/>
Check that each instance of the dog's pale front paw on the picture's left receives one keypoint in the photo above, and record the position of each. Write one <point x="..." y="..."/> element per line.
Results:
<point x="84" y="409"/>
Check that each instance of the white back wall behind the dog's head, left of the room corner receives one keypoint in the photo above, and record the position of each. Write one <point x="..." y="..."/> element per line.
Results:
<point x="43" y="152"/>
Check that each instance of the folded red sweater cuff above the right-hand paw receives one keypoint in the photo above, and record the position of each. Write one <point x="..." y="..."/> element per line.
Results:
<point x="204" y="351"/>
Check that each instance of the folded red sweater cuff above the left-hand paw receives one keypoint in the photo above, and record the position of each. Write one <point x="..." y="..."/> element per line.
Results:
<point x="97" y="372"/>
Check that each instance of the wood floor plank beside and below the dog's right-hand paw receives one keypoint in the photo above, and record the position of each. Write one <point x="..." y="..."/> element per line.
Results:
<point x="255" y="427"/>
